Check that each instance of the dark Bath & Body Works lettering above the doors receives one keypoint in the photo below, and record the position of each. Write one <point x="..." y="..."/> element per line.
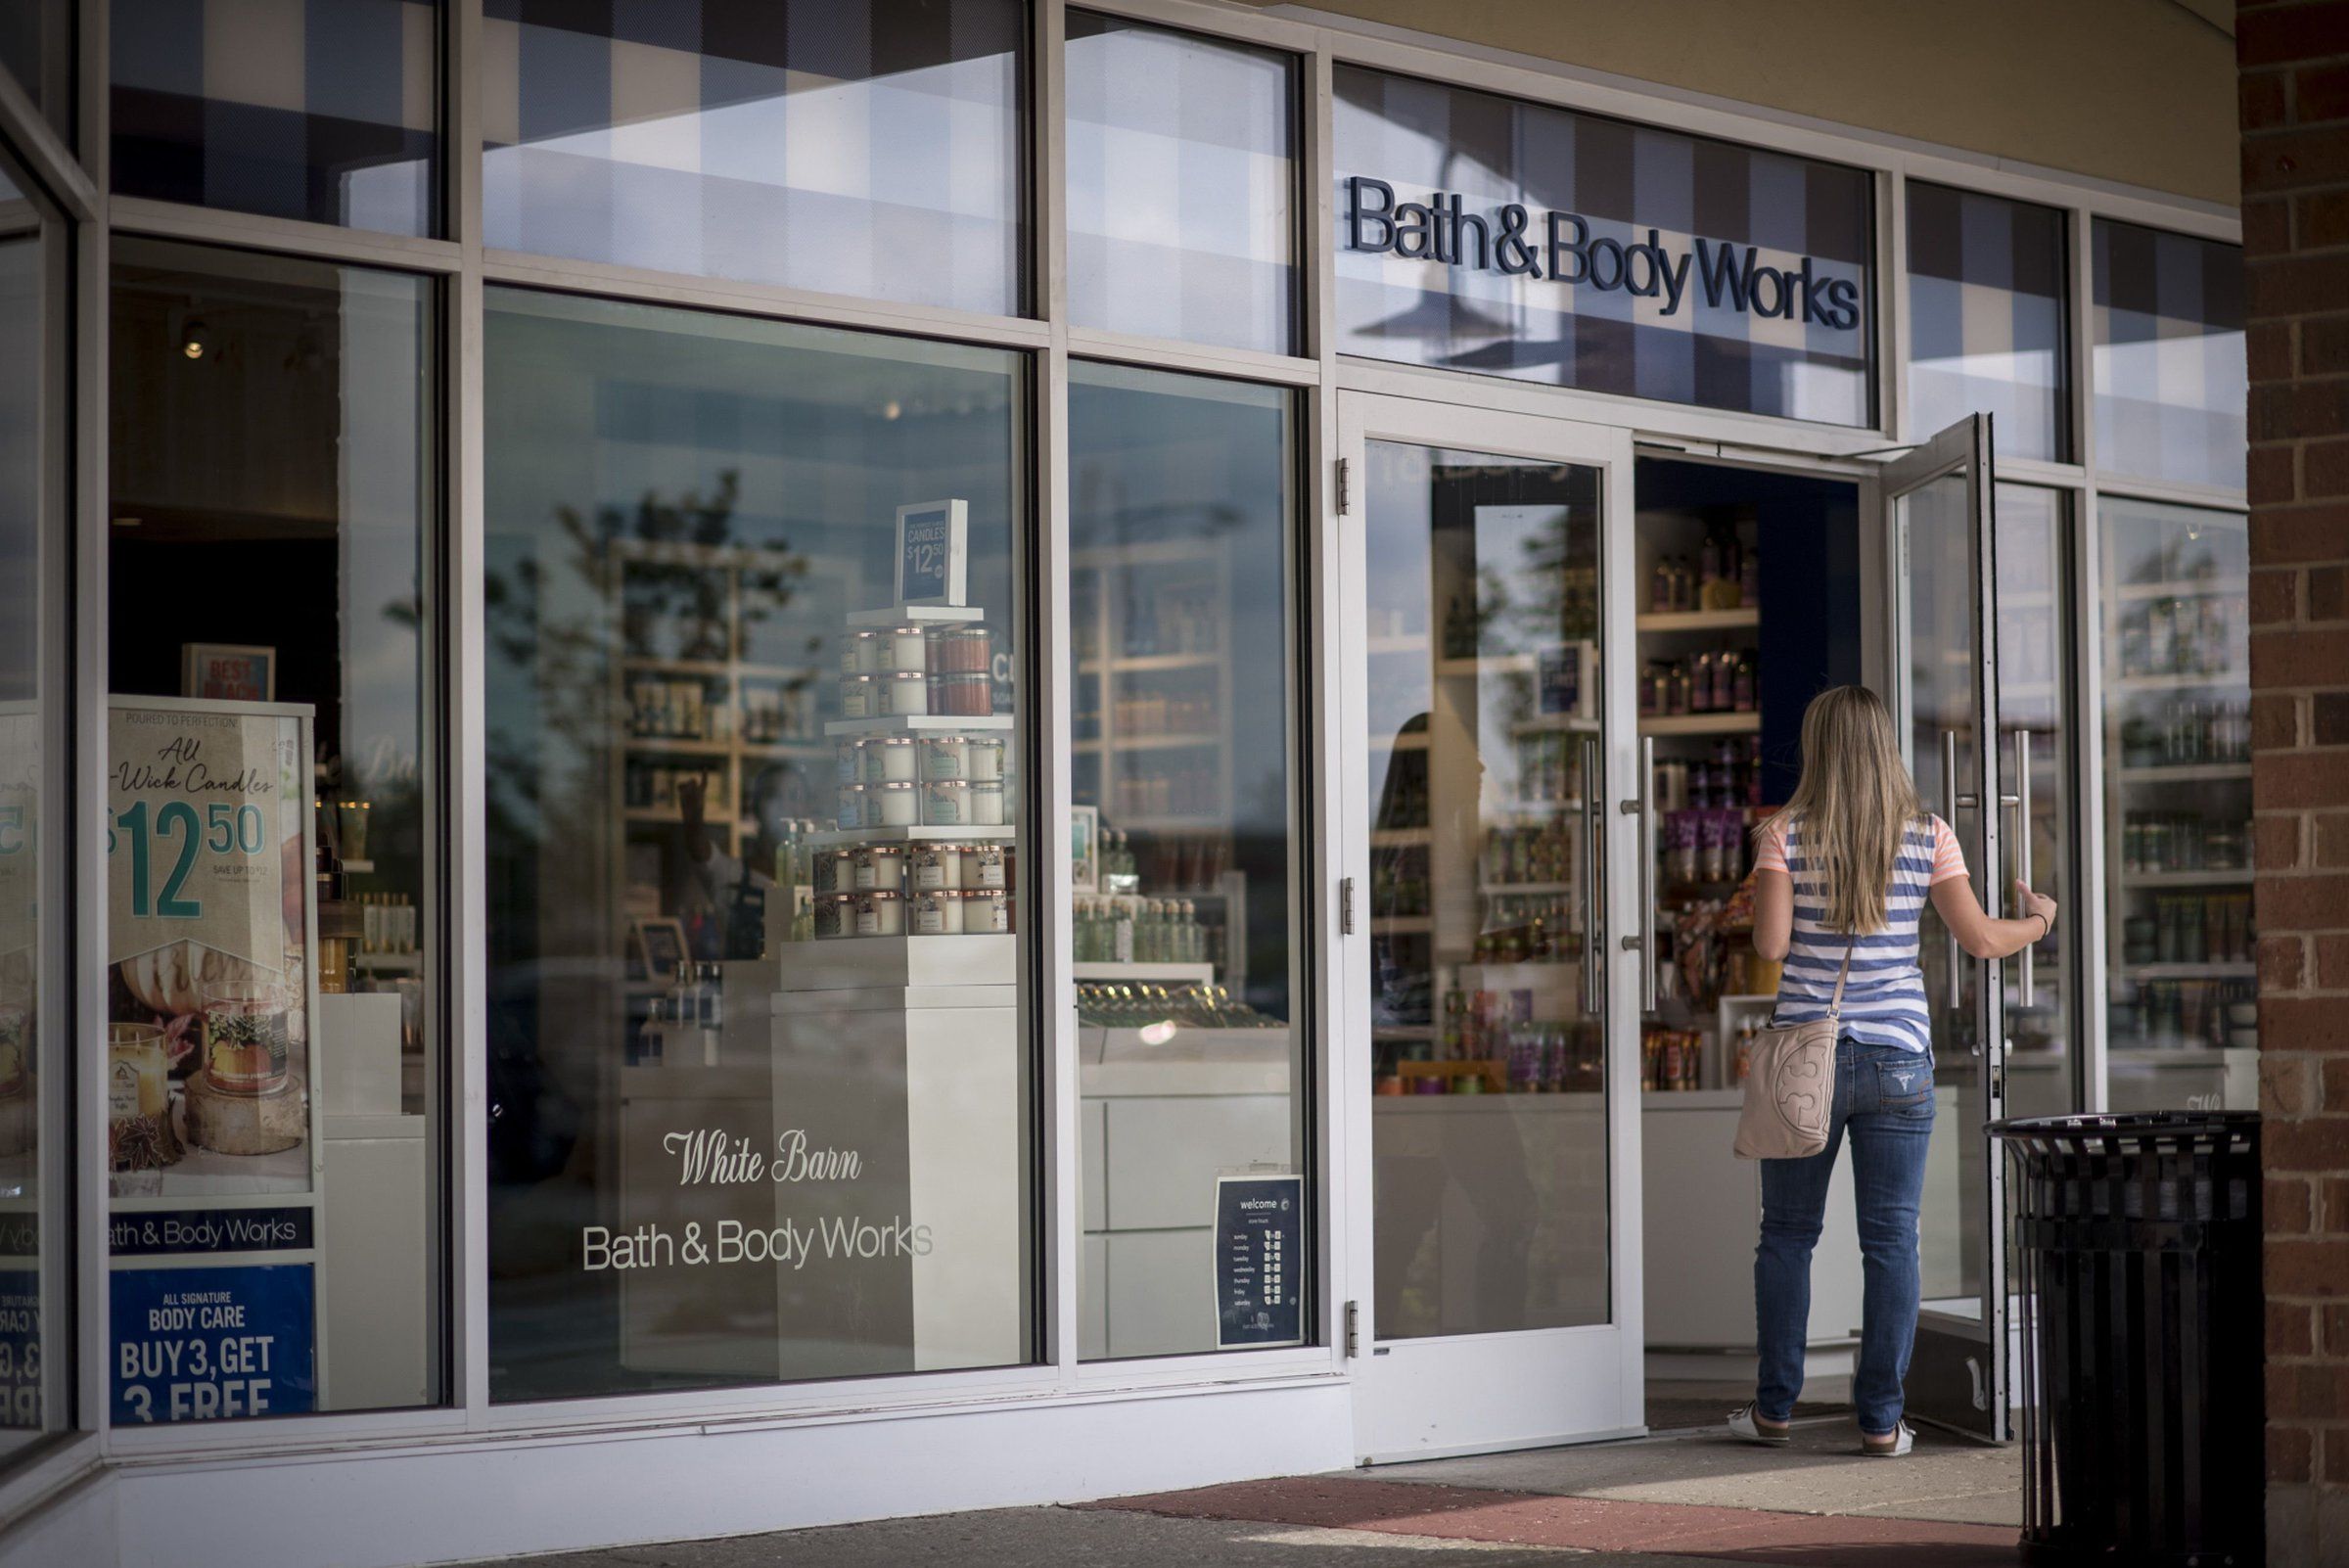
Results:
<point x="1568" y="252"/>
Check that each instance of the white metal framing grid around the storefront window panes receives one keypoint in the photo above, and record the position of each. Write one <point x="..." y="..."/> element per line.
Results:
<point x="469" y="269"/>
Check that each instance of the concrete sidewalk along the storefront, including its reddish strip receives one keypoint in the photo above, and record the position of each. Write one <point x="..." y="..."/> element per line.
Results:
<point x="1657" y="1503"/>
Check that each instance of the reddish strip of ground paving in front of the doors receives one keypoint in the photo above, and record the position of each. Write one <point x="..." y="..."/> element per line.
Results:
<point x="1594" y="1525"/>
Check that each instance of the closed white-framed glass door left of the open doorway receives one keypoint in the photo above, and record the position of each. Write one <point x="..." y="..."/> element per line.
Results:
<point x="1490" y="1018"/>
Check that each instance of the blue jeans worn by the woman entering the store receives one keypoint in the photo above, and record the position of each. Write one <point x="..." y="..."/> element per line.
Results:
<point x="1885" y="1102"/>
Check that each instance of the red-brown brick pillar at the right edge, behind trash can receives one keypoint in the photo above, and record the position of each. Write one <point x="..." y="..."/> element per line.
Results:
<point x="2296" y="231"/>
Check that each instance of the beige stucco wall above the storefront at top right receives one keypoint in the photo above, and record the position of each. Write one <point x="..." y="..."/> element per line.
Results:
<point x="2125" y="90"/>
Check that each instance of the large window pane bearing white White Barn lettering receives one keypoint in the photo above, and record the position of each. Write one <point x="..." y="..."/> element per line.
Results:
<point x="758" y="1069"/>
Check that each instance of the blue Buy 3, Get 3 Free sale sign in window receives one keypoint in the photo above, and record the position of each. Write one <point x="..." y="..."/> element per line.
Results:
<point x="201" y="1344"/>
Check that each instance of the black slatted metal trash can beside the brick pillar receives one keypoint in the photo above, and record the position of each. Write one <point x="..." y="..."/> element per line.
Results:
<point x="2146" y="1414"/>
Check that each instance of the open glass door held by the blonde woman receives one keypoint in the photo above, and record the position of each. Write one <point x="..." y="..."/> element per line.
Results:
<point x="1946" y="696"/>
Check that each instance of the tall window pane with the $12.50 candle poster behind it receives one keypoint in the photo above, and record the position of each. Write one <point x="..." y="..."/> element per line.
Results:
<point x="276" y="879"/>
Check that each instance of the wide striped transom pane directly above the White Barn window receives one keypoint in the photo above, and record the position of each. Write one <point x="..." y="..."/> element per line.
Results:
<point x="866" y="147"/>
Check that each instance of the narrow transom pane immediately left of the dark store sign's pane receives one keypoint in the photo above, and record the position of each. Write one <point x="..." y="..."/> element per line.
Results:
<point x="1183" y="210"/>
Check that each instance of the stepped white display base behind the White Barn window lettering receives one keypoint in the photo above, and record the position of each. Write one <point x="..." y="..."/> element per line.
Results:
<point x="929" y="1102"/>
